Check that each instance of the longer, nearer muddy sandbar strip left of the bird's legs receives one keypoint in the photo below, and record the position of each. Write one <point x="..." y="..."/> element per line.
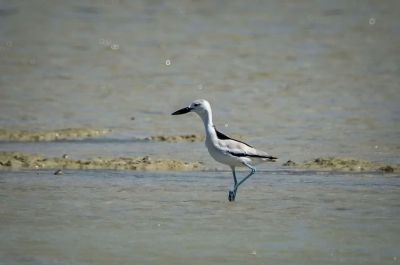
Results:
<point x="18" y="160"/>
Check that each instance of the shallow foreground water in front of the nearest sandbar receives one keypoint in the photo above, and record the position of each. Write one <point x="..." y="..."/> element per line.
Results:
<point x="106" y="217"/>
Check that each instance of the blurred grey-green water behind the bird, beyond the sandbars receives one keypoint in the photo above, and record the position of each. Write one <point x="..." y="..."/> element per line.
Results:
<point x="296" y="78"/>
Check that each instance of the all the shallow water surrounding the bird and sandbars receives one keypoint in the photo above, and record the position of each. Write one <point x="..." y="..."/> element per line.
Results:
<point x="299" y="79"/>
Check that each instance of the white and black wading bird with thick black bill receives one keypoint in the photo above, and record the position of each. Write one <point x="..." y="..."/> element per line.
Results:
<point x="224" y="149"/>
